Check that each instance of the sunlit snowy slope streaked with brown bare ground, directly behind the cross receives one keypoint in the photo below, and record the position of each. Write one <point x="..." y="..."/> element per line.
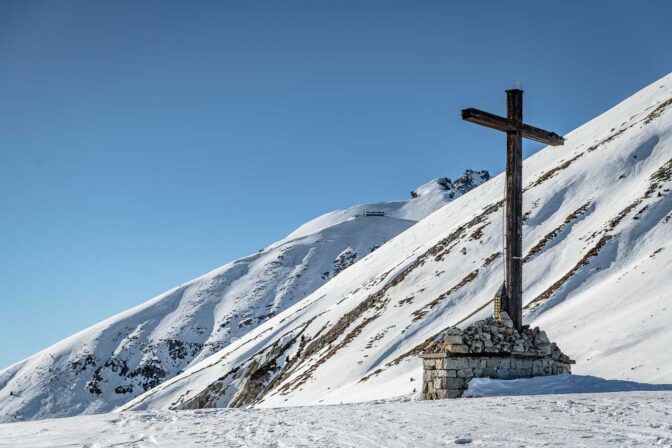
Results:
<point x="597" y="278"/>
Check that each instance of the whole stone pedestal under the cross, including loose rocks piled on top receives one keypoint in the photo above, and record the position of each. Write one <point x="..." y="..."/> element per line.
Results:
<point x="489" y="348"/>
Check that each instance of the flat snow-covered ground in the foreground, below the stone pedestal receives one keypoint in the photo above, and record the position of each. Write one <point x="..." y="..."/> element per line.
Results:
<point x="595" y="420"/>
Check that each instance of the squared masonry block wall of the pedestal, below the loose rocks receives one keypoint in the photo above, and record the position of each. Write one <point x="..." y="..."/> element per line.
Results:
<point x="447" y="375"/>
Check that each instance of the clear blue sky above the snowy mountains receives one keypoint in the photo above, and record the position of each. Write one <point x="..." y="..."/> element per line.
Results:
<point x="144" y="143"/>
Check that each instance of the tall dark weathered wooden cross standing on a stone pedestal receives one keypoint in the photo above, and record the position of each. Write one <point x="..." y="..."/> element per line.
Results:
<point x="515" y="131"/>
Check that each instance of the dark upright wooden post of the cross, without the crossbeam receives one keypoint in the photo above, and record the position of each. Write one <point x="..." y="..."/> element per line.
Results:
<point x="514" y="208"/>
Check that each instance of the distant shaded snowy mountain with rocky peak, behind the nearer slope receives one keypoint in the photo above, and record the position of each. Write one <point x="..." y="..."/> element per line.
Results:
<point x="109" y="363"/>
